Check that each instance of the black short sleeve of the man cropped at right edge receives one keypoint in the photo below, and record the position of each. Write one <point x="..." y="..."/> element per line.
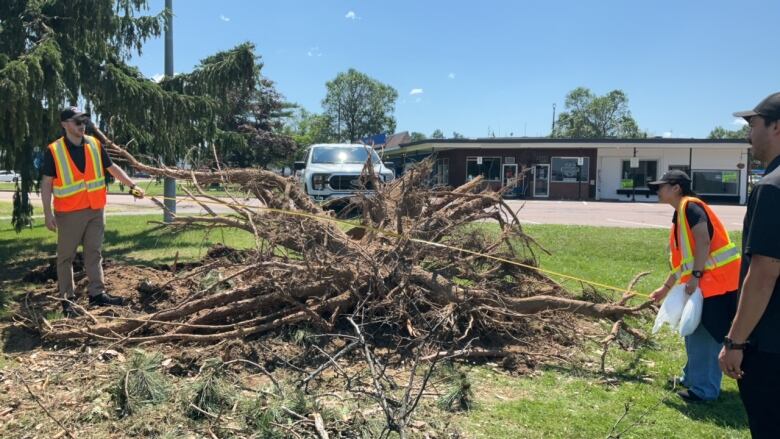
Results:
<point x="763" y="236"/>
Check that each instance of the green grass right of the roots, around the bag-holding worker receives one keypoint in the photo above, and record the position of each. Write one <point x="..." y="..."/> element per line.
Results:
<point x="572" y="402"/>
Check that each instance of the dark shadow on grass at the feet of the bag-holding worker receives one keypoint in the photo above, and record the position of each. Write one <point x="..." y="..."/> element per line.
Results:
<point x="727" y="411"/>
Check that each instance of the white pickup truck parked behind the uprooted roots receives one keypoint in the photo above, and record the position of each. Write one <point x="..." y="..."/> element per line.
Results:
<point x="333" y="171"/>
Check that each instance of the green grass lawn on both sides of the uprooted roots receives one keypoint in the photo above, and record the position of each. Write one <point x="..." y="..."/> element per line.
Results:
<point x="558" y="402"/>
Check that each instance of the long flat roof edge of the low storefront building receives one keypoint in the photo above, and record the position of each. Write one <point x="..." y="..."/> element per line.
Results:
<point x="557" y="143"/>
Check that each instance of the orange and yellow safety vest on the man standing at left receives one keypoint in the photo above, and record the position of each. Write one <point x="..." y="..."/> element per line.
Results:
<point x="73" y="189"/>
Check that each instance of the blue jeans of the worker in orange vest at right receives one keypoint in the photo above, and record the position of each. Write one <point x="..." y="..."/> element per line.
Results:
<point x="702" y="374"/>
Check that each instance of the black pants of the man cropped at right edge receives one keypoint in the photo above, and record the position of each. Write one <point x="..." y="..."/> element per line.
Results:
<point x="759" y="389"/>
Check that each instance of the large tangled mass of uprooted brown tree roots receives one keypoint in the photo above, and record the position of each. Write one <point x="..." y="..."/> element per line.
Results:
<point x="308" y="269"/>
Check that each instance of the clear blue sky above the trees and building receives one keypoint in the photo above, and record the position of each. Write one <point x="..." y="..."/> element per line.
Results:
<point x="472" y="66"/>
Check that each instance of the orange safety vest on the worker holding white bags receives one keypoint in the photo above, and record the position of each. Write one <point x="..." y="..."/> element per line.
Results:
<point x="721" y="271"/>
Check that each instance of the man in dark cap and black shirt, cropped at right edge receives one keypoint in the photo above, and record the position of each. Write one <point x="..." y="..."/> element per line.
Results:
<point x="751" y="350"/>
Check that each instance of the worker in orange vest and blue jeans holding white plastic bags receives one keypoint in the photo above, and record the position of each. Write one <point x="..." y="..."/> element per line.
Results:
<point x="702" y="257"/>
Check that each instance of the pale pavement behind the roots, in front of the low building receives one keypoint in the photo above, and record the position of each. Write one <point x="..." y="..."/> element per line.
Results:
<point x="607" y="214"/>
